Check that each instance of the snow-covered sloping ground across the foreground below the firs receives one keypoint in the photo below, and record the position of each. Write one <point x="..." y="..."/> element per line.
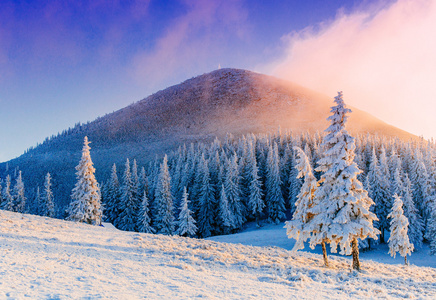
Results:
<point x="42" y="258"/>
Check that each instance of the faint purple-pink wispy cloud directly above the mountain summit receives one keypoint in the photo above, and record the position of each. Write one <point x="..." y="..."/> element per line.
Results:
<point x="190" y="40"/>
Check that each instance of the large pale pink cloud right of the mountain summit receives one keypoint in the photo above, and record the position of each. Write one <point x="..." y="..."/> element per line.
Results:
<point x="383" y="58"/>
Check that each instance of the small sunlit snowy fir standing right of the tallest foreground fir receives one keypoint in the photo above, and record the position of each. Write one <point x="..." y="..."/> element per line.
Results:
<point x="399" y="240"/>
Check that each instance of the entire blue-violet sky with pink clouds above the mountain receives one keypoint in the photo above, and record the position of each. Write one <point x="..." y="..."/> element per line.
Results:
<point x="63" y="62"/>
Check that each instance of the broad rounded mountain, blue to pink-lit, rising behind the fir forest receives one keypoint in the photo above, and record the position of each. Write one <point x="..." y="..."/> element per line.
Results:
<point x="199" y="109"/>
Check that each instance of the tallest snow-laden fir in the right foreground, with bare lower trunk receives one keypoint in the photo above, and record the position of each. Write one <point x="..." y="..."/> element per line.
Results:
<point x="342" y="214"/>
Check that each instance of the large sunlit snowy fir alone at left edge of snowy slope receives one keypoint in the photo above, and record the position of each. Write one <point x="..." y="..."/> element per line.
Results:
<point x="85" y="205"/>
